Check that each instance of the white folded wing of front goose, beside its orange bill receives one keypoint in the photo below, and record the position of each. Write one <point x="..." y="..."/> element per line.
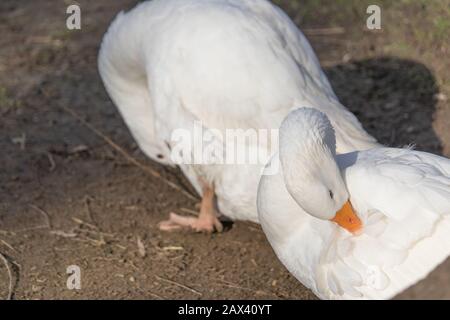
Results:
<point x="403" y="197"/>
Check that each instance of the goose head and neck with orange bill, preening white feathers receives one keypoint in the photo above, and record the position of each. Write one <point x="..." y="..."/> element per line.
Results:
<point x="311" y="174"/>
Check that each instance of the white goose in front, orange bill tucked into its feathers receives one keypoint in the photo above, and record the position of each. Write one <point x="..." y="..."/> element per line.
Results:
<point x="399" y="212"/>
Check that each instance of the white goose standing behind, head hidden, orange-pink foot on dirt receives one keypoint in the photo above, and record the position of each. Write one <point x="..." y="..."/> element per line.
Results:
<point x="226" y="63"/>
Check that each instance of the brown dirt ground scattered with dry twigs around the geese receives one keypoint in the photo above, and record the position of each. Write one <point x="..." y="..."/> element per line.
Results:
<point x="68" y="198"/>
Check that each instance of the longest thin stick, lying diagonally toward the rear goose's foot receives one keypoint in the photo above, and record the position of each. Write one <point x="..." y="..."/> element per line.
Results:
<point x="122" y="151"/>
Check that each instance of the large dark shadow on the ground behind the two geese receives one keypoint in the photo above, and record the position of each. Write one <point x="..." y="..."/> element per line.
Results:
<point x="393" y="98"/>
